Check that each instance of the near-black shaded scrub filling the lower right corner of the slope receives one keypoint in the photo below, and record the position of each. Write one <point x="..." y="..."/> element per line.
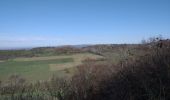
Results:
<point x="147" y="78"/>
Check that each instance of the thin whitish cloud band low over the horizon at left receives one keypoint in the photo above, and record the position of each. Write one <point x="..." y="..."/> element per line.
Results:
<point x="12" y="42"/>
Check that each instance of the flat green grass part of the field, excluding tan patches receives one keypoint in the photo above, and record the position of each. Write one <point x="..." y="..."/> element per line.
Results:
<point x="30" y="69"/>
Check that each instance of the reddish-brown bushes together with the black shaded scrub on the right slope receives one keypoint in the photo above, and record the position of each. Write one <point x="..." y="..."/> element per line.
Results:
<point x="145" y="78"/>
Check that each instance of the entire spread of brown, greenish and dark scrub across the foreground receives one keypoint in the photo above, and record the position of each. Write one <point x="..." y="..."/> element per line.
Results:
<point x="134" y="77"/>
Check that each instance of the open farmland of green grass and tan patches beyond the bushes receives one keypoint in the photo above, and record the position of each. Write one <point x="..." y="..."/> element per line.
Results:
<point x="41" y="68"/>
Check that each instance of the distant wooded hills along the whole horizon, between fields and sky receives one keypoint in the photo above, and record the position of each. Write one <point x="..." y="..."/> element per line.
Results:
<point x="107" y="50"/>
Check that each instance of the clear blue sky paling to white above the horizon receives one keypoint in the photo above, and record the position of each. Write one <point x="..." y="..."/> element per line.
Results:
<point x="33" y="23"/>
